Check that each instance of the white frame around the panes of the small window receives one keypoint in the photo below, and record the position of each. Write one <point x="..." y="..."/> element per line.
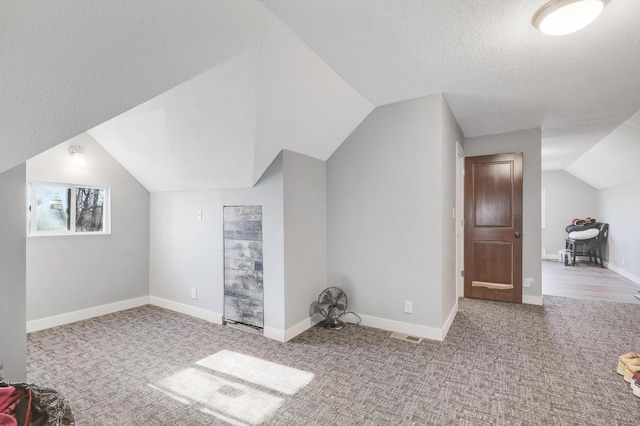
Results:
<point x="33" y="212"/>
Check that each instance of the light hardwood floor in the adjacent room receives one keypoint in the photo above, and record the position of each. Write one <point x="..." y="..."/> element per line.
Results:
<point x="587" y="281"/>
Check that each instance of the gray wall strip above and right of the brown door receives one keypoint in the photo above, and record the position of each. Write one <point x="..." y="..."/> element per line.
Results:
<point x="529" y="143"/>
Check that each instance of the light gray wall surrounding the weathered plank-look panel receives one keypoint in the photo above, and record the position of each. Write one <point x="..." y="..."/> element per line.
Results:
<point x="186" y="252"/>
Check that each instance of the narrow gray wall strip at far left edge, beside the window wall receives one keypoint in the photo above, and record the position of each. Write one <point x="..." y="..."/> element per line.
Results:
<point x="13" y="261"/>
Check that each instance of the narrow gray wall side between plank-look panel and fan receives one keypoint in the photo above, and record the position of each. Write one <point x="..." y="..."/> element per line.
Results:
<point x="305" y="234"/>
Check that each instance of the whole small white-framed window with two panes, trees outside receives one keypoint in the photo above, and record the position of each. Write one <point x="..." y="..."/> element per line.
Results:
<point x="68" y="209"/>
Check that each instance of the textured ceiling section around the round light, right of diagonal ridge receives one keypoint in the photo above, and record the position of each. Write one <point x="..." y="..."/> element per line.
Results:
<point x="497" y="72"/>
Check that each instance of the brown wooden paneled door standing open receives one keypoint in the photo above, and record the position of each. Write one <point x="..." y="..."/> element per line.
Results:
<point x="493" y="227"/>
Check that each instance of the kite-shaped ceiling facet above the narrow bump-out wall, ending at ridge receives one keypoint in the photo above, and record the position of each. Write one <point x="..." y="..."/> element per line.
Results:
<point x="304" y="106"/>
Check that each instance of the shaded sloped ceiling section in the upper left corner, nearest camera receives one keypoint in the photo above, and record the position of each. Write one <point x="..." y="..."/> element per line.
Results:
<point x="67" y="66"/>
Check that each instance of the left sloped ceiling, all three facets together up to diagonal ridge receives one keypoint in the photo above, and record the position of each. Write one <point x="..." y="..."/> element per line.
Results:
<point x="203" y="96"/>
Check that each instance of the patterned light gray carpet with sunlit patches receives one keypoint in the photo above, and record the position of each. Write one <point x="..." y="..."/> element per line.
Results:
<point x="501" y="364"/>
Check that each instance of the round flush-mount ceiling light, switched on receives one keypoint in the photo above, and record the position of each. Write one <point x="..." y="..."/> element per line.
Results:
<point x="560" y="17"/>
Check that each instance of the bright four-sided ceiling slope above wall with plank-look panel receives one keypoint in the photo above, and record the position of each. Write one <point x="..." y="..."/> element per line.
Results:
<point x="197" y="135"/>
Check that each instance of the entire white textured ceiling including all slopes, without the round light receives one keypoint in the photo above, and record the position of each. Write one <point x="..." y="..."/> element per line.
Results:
<point x="204" y="94"/>
